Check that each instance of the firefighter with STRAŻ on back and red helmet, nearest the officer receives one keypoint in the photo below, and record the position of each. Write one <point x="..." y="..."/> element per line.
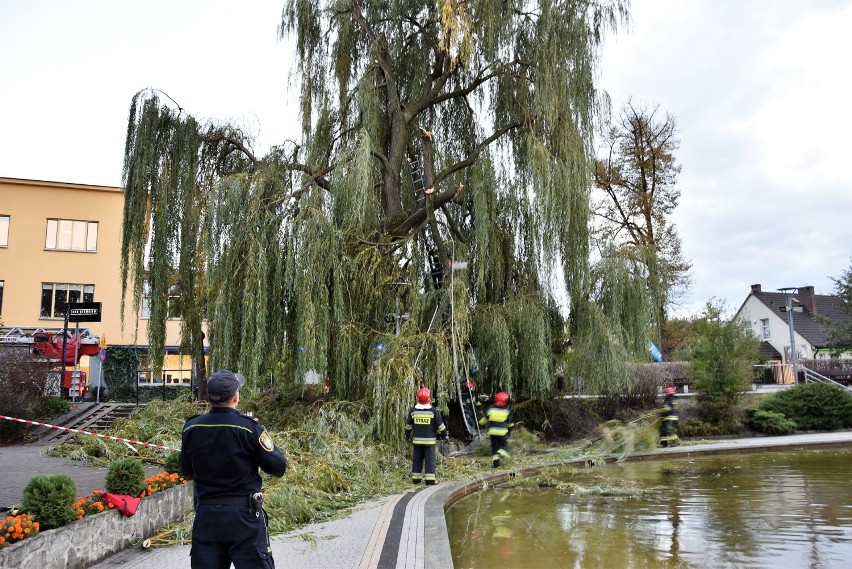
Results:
<point x="422" y="428"/>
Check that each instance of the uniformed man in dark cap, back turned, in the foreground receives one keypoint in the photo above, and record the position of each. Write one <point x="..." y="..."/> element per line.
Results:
<point x="221" y="452"/>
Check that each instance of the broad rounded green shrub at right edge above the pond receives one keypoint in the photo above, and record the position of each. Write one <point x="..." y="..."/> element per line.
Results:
<point x="813" y="406"/>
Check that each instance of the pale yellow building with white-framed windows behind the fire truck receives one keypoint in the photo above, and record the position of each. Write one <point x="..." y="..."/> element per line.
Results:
<point x="61" y="243"/>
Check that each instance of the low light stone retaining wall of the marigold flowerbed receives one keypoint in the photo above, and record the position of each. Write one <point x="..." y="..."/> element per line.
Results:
<point x="85" y="542"/>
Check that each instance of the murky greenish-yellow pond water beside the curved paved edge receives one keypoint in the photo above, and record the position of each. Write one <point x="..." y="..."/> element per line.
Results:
<point x="785" y="510"/>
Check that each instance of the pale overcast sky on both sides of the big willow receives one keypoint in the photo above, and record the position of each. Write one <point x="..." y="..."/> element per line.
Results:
<point x="759" y="88"/>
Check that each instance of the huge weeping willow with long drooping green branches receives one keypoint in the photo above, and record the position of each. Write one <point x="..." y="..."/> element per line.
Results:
<point x="433" y="133"/>
